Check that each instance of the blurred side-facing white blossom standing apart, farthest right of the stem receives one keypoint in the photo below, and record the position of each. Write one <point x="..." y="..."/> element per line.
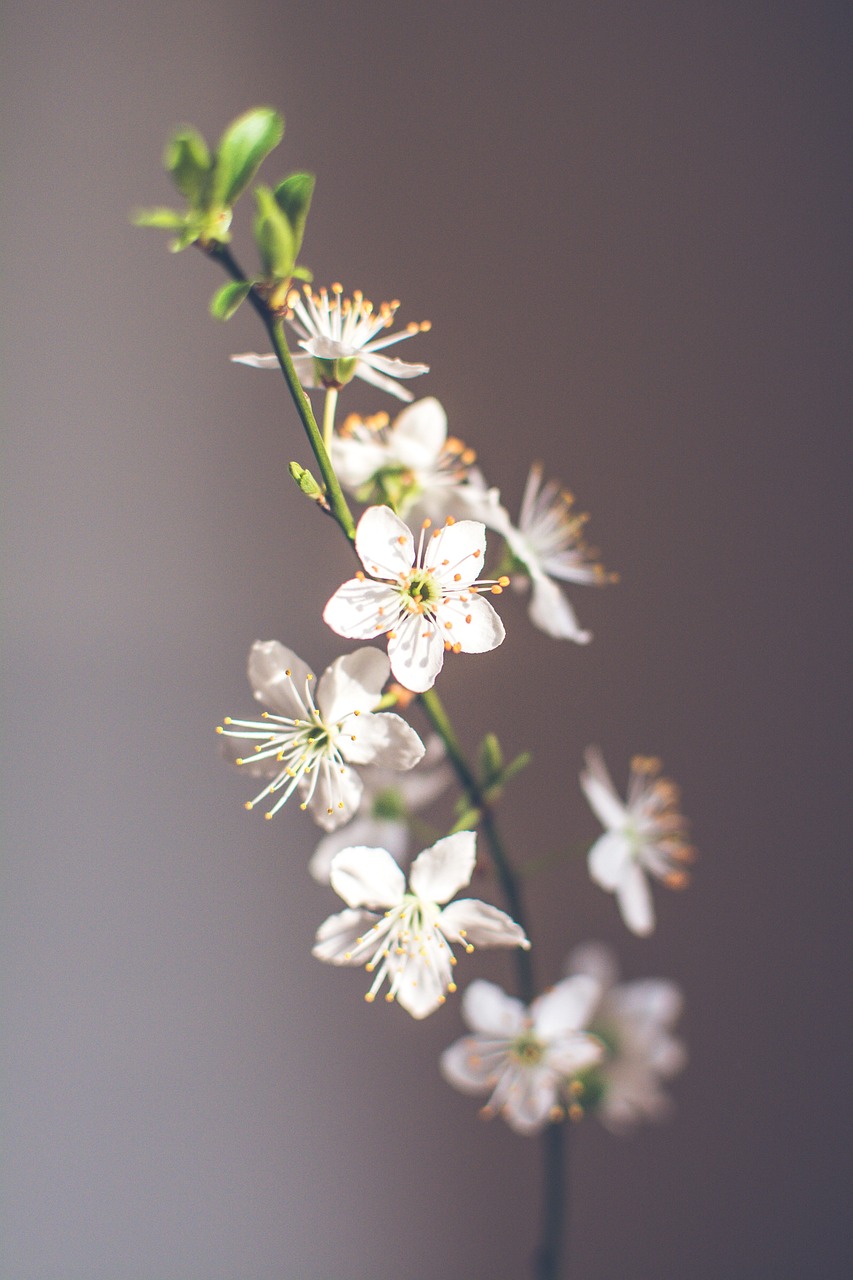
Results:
<point x="646" y="834"/>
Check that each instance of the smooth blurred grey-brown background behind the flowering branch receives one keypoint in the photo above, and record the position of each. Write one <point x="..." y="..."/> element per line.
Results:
<point x="630" y="227"/>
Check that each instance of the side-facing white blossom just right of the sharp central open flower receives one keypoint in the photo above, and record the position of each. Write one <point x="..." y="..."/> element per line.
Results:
<point x="549" y="548"/>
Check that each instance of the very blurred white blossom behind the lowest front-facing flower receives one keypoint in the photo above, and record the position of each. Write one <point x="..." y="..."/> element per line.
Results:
<point x="635" y="1021"/>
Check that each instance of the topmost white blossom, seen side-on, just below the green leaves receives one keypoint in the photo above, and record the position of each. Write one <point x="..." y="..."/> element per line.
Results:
<point x="341" y="341"/>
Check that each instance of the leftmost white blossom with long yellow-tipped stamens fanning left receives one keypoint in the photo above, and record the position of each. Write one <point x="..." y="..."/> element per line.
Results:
<point x="309" y="746"/>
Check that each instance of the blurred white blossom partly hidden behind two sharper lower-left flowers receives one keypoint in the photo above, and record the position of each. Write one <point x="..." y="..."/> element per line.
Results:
<point x="387" y="802"/>
